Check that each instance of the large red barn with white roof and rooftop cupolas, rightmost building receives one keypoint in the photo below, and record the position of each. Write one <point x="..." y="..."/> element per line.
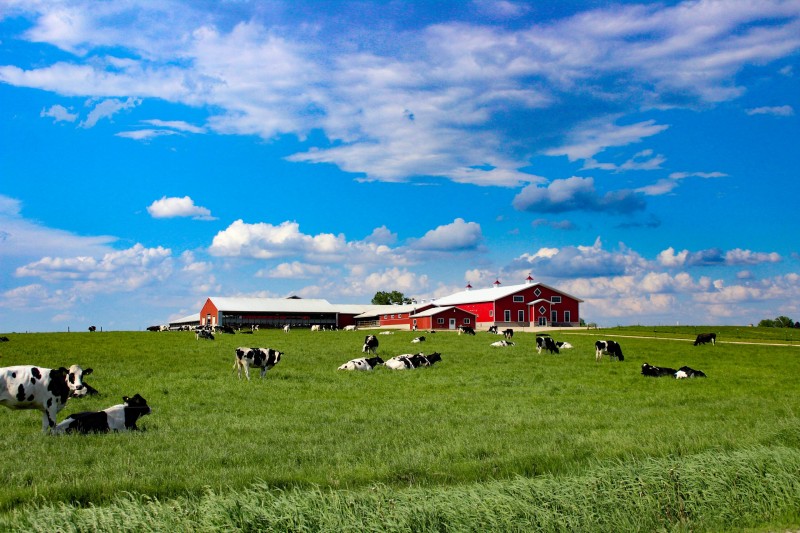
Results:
<point x="527" y="304"/>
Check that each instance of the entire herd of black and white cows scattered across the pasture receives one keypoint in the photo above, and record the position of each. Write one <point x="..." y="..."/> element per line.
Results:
<point x="48" y="390"/>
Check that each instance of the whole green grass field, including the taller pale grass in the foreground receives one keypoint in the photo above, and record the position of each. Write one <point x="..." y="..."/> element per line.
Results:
<point x="483" y="424"/>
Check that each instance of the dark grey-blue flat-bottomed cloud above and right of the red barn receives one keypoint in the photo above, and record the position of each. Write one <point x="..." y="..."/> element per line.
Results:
<point x="576" y="194"/>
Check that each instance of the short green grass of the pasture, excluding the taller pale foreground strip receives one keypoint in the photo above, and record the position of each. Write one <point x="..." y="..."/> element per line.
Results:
<point x="483" y="417"/>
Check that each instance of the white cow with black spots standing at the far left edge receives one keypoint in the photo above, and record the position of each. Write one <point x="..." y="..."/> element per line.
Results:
<point x="45" y="389"/>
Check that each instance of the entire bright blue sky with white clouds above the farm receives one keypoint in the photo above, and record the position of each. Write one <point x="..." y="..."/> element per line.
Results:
<point x="641" y="156"/>
